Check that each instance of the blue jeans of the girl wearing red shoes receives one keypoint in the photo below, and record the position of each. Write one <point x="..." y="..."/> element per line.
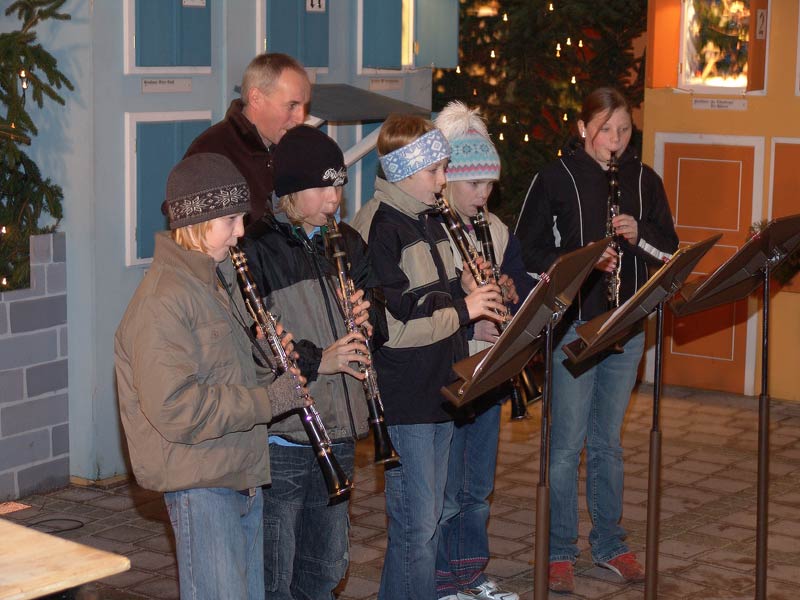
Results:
<point x="589" y="408"/>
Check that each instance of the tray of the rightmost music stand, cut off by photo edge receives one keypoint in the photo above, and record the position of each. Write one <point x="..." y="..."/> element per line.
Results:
<point x="741" y="274"/>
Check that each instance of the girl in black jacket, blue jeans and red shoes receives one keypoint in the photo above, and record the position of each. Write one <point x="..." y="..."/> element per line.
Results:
<point x="565" y="209"/>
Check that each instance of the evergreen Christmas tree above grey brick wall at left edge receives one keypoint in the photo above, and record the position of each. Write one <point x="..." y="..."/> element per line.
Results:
<point x="26" y="69"/>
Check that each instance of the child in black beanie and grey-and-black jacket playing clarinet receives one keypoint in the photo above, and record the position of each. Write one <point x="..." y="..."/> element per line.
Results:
<point x="306" y="542"/>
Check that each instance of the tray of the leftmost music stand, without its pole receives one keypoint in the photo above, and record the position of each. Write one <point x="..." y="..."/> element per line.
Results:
<point x="518" y="343"/>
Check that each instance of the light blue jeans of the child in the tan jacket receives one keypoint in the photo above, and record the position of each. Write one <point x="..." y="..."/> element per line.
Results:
<point x="218" y="537"/>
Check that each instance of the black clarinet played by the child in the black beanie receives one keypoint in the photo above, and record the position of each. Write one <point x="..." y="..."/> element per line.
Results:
<point x="384" y="451"/>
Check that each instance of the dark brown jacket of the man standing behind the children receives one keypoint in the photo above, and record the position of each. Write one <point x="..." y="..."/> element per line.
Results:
<point x="238" y="139"/>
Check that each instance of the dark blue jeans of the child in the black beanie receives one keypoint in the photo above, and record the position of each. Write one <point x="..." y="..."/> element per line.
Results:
<point x="306" y="542"/>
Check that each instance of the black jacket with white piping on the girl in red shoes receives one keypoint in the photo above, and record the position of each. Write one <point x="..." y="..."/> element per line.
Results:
<point x="566" y="208"/>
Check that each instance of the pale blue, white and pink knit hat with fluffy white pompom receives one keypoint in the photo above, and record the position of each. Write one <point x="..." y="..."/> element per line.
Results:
<point x="473" y="155"/>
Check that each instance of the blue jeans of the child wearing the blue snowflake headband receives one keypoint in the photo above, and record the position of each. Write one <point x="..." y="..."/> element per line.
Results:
<point x="414" y="498"/>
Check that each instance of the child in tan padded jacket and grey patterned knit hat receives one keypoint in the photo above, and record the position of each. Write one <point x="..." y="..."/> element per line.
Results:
<point x="193" y="402"/>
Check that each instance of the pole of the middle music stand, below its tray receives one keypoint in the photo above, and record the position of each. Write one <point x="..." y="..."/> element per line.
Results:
<point x="654" y="472"/>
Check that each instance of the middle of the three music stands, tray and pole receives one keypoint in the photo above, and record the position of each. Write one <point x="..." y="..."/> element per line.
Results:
<point x="605" y="330"/>
